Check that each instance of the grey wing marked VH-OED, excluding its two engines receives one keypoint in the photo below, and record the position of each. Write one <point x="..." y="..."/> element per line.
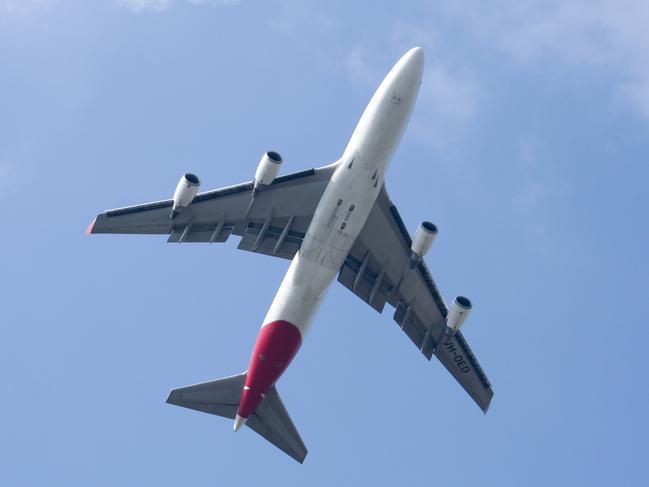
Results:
<point x="374" y="271"/>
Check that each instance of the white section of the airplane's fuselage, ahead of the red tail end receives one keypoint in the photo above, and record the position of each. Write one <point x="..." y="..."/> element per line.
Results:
<point x="350" y="195"/>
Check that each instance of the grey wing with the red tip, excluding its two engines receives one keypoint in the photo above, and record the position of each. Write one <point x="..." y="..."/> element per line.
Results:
<point x="274" y="224"/>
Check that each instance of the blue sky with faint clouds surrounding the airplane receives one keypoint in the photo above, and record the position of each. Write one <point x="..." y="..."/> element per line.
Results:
<point x="529" y="148"/>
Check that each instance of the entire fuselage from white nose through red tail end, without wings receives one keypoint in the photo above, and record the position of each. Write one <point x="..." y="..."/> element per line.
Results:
<point x="339" y="218"/>
